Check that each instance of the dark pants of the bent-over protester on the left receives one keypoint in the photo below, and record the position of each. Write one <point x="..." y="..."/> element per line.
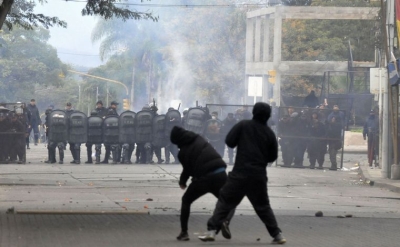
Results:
<point x="209" y="184"/>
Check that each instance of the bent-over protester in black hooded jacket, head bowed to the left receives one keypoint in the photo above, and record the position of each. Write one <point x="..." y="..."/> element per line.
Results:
<point x="207" y="169"/>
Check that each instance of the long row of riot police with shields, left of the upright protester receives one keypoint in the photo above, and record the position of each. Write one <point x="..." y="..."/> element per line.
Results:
<point x="146" y="129"/>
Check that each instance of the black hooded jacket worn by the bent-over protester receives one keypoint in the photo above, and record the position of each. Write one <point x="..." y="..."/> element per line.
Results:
<point x="196" y="155"/>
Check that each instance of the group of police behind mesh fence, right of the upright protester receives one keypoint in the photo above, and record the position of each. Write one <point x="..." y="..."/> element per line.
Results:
<point x="313" y="130"/>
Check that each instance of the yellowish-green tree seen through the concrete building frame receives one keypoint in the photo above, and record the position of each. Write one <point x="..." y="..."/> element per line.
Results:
<point x="326" y="40"/>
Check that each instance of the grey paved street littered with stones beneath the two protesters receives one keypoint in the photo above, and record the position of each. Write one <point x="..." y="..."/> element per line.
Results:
<point x="138" y="205"/>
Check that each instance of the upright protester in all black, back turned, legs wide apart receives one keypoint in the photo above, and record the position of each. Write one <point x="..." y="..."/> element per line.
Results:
<point x="256" y="147"/>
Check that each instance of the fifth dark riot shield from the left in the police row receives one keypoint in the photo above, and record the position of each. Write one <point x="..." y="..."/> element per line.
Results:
<point x="127" y="127"/>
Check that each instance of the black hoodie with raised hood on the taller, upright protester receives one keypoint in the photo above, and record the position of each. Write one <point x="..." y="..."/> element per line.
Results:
<point x="255" y="141"/>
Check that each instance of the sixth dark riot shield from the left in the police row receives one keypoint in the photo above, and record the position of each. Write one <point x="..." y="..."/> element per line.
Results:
<point x="144" y="124"/>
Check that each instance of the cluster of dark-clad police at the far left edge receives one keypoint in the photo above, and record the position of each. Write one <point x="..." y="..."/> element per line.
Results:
<point x="13" y="131"/>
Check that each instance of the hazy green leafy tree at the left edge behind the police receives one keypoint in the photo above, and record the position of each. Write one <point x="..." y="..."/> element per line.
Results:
<point x="26" y="60"/>
